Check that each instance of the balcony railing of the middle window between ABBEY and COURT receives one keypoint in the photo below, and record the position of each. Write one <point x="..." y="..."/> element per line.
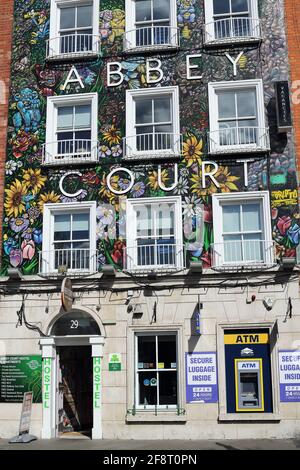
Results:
<point x="155" y="145"/>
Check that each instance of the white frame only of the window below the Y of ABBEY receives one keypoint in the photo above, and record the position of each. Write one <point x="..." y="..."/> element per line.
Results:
<point x="213" y="89"/>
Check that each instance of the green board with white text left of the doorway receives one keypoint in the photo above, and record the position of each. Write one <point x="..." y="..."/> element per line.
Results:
<point x="18" y="375"/>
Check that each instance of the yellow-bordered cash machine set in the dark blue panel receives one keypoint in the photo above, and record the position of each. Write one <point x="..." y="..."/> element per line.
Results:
<point x="249" y="388"/>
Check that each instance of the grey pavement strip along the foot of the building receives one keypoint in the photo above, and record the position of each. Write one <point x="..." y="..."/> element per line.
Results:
<point x="153" y="445"/>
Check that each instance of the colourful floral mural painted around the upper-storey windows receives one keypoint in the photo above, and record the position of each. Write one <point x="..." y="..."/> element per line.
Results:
<point x="29" y="186"/>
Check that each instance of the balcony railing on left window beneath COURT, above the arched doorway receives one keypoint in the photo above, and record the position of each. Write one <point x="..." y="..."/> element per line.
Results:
<point x="76" y="261"/>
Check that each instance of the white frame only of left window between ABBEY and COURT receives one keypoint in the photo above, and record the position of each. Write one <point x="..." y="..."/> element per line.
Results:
<point x="53" y="103"/>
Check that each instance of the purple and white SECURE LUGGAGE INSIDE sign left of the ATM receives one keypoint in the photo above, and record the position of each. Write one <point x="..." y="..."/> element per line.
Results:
<point x="201" y="377"/>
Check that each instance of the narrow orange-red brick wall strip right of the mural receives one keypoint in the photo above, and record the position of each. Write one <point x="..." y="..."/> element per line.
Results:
<point x="292" y="13"/>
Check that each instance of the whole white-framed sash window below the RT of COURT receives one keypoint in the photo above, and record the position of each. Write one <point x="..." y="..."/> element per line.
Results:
<point x="242" y="230"/>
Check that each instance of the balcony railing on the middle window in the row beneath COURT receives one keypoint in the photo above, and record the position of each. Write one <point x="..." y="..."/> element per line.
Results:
<point x="156" y="256"/>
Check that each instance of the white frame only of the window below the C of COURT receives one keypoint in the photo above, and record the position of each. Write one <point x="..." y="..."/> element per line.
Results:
<point x="50" y="210"/>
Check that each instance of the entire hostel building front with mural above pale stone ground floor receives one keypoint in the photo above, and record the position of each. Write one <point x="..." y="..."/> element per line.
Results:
<point x="150" y="221"/>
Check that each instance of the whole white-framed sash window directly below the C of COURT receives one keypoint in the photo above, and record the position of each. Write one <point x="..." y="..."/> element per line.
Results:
<point x="69" y="240"/>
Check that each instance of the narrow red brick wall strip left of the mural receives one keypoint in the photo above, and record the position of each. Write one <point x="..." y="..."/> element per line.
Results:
<point x="6" y="25"/>
